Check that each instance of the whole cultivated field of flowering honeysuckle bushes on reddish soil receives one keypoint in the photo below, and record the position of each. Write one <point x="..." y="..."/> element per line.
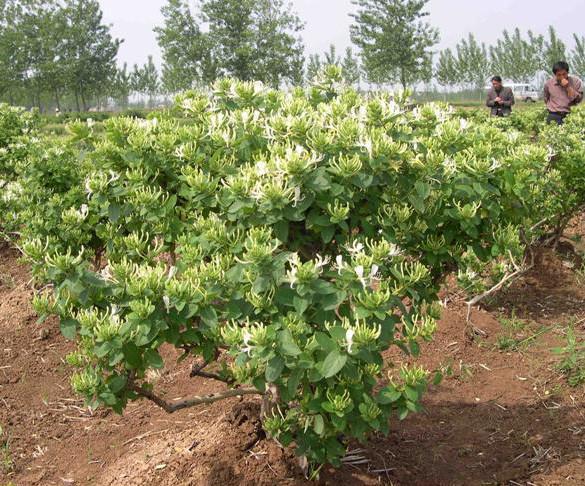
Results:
<point x="293" y="275"/>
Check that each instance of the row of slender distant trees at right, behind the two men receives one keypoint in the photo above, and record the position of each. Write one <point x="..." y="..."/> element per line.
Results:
<point x="516" y="56"/>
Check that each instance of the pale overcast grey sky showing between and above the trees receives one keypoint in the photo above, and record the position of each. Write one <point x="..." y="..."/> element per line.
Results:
<point x="327" y="21"/>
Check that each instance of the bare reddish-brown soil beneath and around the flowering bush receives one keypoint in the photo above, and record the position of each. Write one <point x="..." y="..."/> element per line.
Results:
<point x="504" y="415"/>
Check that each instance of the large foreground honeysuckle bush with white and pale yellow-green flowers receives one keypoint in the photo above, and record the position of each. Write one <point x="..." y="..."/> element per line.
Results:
<point x="286" y="239"/>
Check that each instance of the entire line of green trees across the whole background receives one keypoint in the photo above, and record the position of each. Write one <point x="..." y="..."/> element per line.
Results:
<point x="60" y="52"/>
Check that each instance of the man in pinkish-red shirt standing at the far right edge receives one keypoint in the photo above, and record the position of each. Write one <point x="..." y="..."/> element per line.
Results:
<point x="561" y="93"/>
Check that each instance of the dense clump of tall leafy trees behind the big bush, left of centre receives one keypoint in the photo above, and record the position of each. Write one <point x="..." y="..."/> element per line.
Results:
<point x="246" y="39"/>
